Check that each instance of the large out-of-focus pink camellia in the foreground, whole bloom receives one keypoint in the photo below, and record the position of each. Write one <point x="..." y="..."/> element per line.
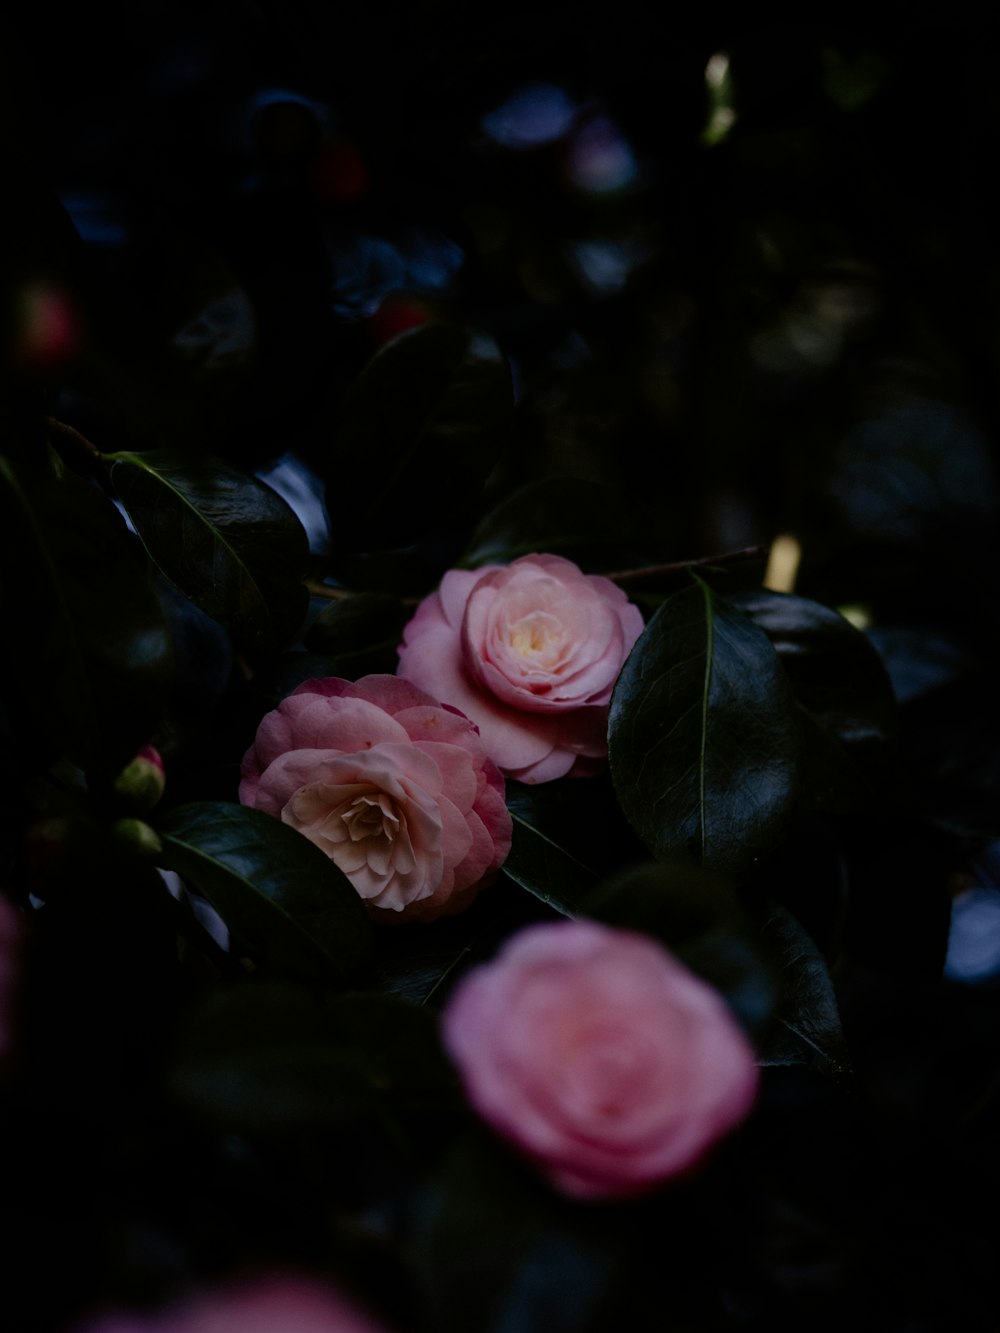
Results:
<point x="599" y="1056"/>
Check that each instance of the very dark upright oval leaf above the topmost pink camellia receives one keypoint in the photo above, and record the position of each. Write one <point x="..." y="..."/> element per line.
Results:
<point x="419" y="434"/>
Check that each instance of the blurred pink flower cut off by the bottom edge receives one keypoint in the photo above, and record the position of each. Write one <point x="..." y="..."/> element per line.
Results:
<point x="273" y="1304"/>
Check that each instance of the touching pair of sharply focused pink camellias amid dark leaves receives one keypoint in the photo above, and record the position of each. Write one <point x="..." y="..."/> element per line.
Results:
<point x="503" y="671"/>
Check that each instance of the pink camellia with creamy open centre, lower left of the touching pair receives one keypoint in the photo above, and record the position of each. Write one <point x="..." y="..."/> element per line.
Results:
<point x="394" y="787"/>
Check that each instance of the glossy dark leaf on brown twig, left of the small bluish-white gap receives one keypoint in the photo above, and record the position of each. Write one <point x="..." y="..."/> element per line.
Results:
<point x="223" y="538"/>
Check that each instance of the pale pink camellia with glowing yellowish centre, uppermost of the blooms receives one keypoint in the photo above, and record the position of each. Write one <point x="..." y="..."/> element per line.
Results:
<point x="530" y="653"/>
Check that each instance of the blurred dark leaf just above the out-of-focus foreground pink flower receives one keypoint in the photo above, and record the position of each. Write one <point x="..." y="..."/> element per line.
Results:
<point x="698" y="918"/>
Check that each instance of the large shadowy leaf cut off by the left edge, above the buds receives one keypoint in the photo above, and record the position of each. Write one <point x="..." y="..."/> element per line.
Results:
<point x="86" y="657"/>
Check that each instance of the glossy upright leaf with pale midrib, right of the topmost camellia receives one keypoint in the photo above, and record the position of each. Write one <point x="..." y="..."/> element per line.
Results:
<point x="703" y="735"/>
